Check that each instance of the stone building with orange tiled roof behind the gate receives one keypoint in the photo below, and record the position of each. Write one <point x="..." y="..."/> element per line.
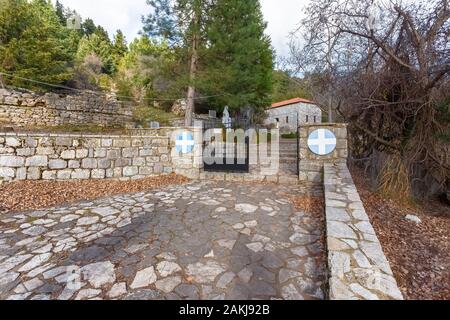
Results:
<point x="290" y="114"/>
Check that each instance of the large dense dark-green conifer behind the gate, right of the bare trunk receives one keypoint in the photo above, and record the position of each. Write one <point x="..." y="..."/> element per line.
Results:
<point x="239" y="56"/>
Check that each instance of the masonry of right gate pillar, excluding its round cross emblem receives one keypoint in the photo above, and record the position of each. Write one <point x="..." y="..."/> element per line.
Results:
<point x="311" y="165"/>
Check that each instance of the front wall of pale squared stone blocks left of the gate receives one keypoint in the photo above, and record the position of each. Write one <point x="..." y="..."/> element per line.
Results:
<point x="80" y="157"/>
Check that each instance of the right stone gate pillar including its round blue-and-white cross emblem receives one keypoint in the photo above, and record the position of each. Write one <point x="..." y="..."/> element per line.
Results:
<point x="320" y="144"/>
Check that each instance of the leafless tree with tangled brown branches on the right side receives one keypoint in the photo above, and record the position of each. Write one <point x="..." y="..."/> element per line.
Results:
<point x="388" y="65"/>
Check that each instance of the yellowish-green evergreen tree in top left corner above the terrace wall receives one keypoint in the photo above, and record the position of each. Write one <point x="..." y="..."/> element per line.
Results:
<point x="34" y="43"/>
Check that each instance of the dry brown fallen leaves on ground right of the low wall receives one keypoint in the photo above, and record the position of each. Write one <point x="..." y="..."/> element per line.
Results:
<point x="419" y="254"/>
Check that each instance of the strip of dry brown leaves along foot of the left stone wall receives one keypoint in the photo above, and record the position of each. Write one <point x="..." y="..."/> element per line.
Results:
<point x="31" y="195"/>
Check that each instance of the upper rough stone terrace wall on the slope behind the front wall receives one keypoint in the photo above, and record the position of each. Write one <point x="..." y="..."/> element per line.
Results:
<point x="23" y="109"/>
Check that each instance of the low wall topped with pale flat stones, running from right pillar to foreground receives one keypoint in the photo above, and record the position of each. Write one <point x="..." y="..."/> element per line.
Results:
<point x="358" y="268"/>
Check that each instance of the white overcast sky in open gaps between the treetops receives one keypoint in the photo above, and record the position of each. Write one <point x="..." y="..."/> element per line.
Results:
<point x="282" y="16"/>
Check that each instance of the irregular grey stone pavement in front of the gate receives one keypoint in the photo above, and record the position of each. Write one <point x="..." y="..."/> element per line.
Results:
<point x="196" y="241"/>
